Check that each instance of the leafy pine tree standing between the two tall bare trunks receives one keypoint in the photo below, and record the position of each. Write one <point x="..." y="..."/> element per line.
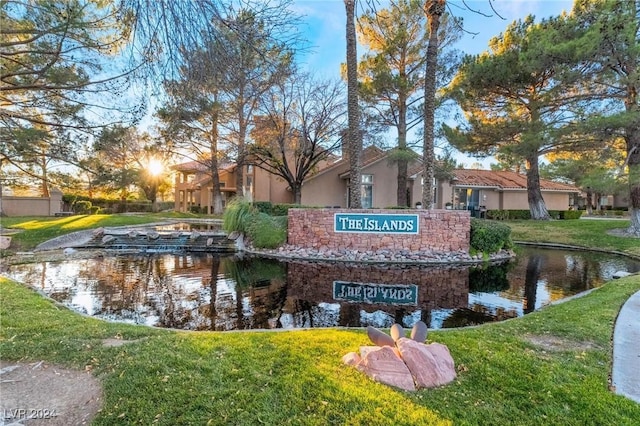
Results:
<point x="392" y="73"/>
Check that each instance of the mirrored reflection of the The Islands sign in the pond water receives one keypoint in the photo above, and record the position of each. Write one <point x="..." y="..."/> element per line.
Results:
<point x="398" y="294"/>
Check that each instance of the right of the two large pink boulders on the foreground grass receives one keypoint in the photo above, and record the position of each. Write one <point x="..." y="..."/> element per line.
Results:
<point x="430" y="366"/>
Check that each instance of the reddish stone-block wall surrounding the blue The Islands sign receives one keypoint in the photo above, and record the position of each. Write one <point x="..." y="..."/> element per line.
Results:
<point x="440" y="231"/>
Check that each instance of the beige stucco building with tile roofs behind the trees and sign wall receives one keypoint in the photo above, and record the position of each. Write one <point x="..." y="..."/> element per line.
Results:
<point x="475" y="190"/>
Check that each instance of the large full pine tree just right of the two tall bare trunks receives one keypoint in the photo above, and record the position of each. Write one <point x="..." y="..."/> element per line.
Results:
<point x="521" y="100"/>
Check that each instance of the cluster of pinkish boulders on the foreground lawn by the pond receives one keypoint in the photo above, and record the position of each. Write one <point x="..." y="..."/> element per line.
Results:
<point x="405" y="363"/>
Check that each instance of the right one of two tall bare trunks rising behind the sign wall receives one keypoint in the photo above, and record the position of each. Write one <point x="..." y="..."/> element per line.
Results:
<point x="433" y="9"/>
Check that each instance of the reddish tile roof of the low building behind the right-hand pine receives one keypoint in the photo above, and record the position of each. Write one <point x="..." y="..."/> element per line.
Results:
<point x="504" y="180"/>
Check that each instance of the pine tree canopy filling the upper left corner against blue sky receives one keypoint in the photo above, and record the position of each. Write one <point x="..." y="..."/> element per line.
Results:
<point x="55" y="85"/>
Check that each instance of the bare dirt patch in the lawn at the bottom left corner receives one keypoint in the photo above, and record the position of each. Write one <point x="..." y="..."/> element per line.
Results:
<point x="45" y="394"/>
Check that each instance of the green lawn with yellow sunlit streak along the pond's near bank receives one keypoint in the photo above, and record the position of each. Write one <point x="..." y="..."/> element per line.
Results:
<point x="550" y="367"/>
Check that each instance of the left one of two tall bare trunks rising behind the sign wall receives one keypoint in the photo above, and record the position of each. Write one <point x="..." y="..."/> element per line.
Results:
<point x="354" y="136"/>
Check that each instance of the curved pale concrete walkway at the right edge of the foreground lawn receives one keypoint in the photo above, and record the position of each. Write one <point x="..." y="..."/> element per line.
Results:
<point x="625" y="376"/>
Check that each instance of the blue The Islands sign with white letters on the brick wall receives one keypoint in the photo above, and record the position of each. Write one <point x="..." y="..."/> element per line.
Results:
<point x="376" y="223"/>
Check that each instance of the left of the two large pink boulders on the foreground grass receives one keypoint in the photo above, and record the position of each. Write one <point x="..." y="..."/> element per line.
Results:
<point x="384" y="366"/>
